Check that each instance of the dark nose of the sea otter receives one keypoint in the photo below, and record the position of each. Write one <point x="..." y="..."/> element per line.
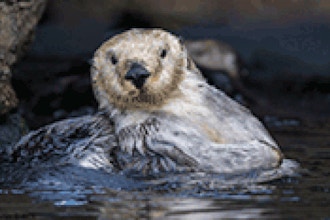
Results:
<point x="137" y="74"/>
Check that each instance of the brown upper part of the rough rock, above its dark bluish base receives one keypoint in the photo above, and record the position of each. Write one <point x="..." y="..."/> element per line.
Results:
<point x="17" y="22"/>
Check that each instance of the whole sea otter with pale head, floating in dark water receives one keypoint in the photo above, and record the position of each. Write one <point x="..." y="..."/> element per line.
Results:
<point x="156" y="114"/>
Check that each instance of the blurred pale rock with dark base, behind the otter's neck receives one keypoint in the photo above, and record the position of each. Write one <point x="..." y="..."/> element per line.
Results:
<point x="221" y="65"/>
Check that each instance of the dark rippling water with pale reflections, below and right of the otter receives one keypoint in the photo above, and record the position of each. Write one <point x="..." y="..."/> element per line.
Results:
<point x="306" y="196"/>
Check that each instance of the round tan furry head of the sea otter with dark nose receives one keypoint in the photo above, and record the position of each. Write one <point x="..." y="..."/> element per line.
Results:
<point x="138" y="69"/>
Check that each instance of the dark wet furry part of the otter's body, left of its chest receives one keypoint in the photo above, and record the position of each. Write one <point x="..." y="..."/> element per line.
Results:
<point x="62" y="136"/>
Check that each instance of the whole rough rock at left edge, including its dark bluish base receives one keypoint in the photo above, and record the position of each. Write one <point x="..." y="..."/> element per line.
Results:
<point x="17" y="22"/>
